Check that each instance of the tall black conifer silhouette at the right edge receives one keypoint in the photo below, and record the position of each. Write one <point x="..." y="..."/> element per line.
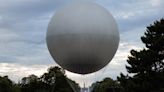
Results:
<point x="147" y="65"/>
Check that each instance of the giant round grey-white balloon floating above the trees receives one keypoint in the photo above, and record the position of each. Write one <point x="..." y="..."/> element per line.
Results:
<point x="82" y="37"/>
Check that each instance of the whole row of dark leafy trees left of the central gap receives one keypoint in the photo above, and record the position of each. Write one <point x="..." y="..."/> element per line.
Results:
<point x="54" y="80"/>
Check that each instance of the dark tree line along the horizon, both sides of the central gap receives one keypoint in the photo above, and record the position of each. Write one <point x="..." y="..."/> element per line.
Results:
<point x="146" y="65"/>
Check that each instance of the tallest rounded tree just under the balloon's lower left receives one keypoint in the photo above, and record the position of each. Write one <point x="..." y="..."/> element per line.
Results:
<point x="61" y="83"/>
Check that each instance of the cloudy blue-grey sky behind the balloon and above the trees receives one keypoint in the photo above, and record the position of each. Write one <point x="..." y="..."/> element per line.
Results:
<point x="23" y="26"/>
